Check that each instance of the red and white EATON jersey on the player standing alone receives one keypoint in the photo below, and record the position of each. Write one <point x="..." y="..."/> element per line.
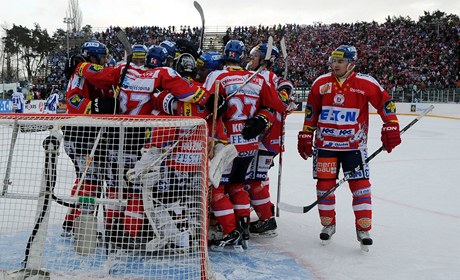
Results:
<point x="340" y="111"/>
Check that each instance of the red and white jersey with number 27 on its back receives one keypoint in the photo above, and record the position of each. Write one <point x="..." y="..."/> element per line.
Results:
<point x="243" y="104"/>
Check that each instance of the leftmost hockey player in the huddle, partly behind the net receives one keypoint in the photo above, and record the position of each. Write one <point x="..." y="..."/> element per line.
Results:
<point x="89" y="91"/>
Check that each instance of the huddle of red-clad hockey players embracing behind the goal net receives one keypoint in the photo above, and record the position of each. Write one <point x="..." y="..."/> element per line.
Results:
<point x="175" y="78"/>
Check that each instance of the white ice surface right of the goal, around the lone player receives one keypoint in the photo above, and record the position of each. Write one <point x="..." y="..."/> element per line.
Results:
<point x="416" y="218"/>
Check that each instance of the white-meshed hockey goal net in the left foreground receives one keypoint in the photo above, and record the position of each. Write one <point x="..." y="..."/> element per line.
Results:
<point x="103" y="197"/>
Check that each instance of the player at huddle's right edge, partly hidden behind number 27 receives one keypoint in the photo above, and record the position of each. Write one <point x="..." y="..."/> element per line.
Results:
<point x="269" y="144"/>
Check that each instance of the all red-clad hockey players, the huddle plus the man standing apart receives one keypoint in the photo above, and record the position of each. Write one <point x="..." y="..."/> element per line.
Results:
<point x="248" y="105"/>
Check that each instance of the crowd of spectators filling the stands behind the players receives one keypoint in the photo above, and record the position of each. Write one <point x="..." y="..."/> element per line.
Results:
<point x="402" y="55"/>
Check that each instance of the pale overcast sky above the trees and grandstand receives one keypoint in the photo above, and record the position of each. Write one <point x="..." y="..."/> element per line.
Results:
<point x="103" y="13"/>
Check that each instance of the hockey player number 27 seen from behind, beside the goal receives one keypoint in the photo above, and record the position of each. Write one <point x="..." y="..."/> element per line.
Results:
<point x="244" y="100"/>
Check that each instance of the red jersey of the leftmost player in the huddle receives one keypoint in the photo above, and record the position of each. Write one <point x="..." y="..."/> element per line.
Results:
<point x="88" y="82"/>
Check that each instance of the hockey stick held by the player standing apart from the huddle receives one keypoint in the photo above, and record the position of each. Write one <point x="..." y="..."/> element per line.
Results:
<point x="305" y="209"/>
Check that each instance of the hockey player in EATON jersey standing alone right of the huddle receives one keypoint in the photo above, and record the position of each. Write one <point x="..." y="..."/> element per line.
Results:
<point x="336" y="124"/>
